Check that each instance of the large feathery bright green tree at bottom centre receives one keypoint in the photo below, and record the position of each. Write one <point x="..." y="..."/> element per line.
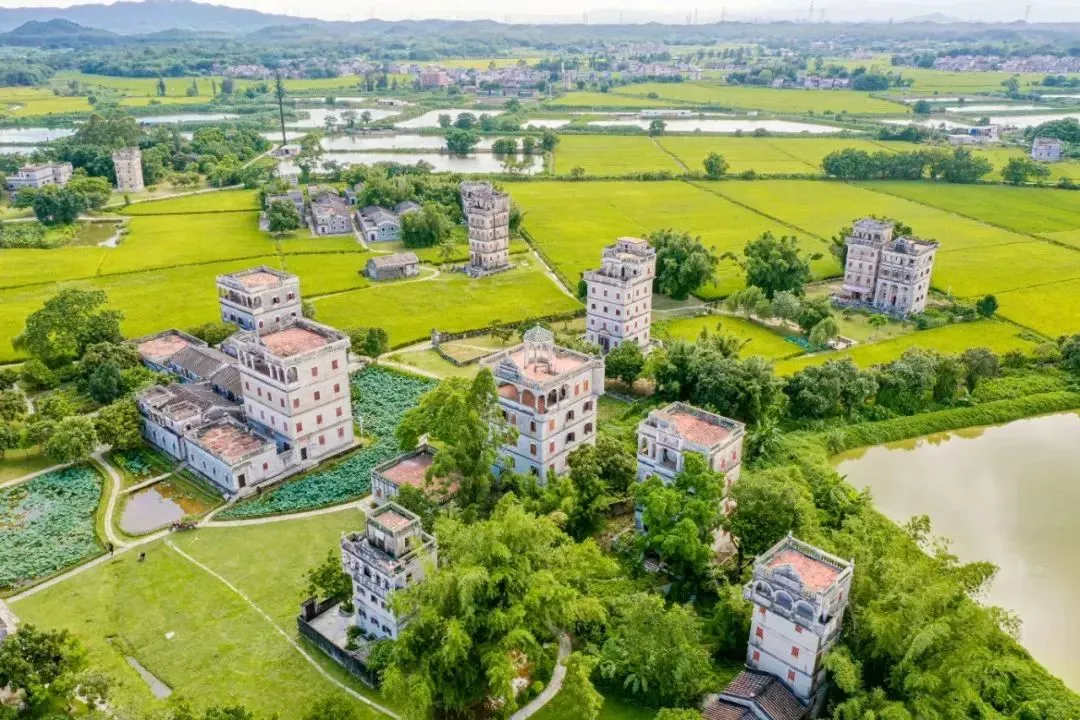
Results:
<point x="501" y="588"/>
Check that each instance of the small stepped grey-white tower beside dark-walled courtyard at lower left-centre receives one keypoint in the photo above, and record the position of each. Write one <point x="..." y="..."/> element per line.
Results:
<point x="389" y="556"/>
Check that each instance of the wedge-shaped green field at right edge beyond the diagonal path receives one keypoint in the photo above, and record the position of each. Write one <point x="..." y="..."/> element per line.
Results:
<point x="1036" y="211"/>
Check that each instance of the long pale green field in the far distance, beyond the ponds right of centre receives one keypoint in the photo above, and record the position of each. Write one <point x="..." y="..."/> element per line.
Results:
<point x="811" y="102"/>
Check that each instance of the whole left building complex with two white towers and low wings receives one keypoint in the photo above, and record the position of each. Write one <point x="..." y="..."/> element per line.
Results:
<point x="290" y="373"/>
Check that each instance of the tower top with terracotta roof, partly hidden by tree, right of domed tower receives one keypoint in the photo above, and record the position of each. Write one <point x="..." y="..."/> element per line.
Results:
<point x="669" y="433"/>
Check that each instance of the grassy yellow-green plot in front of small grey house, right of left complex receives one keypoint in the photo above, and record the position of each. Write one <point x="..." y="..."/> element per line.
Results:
<point x="409" y="310"/>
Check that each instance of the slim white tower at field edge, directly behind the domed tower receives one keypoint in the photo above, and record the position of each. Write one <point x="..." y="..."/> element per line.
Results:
<point x="619" y="300"/>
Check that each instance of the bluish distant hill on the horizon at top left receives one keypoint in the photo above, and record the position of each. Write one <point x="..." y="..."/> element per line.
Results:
<point x="127" y="18"/>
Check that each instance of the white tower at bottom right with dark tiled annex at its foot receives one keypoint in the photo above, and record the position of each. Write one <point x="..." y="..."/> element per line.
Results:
<point x="800" y="594"/>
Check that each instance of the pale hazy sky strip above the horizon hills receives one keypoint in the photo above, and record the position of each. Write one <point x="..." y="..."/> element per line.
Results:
<point x="636" y="11"/>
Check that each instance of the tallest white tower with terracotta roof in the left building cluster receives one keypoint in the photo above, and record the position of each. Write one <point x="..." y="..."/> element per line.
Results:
<point x="296" y="388"/>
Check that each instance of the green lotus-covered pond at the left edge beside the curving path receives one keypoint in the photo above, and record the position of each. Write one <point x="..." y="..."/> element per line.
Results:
<point x="47" y="524"/>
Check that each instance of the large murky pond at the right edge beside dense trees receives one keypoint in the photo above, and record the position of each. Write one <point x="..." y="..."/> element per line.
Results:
<point x="1005" y="494"/>
